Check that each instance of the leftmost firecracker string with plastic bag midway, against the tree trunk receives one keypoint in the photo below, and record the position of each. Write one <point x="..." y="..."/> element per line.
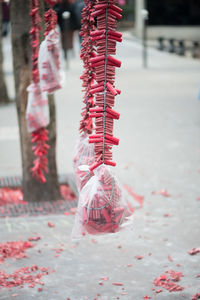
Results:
<point x="37" y="113"/>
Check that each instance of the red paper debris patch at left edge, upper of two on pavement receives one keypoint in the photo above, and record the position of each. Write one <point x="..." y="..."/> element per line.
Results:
<point x="14" y="250"/>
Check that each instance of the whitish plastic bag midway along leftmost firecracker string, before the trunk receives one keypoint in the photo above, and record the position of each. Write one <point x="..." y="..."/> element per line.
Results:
<point x="37" y="111"/>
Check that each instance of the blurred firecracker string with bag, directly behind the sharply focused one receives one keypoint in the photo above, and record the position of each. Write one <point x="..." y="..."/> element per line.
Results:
<point x="84" y="153"/>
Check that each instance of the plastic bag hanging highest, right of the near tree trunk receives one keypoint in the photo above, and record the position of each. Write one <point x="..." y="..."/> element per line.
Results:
<point x="49" y="61"/>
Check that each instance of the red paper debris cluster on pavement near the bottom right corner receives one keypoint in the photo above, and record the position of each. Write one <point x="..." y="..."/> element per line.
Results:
<point x="168" y="281"/>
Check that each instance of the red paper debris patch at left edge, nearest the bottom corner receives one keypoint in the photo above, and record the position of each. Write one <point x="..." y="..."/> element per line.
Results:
<point x="22" y="276"/>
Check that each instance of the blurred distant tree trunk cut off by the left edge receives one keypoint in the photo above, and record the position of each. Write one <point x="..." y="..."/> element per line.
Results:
<point x="3" y="90"/>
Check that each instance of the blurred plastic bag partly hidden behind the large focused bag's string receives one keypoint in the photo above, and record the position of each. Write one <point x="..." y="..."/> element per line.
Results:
<point x="83" y="158"/>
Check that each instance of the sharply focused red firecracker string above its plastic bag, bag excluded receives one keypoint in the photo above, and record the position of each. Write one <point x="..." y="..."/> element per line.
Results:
<point x="104" y="64"/>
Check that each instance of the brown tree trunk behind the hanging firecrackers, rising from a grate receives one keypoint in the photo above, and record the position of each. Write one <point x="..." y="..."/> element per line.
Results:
<point x="32" y="189"/>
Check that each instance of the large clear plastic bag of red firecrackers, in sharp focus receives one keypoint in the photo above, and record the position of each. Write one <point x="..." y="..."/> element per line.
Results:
<point x="101" y="207"/>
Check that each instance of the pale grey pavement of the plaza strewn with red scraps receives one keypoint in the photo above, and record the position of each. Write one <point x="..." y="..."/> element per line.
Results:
<point x="159" y="149"/>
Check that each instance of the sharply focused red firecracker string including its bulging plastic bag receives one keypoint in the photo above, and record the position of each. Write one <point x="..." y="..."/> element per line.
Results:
<point x="101" y="207"/>
